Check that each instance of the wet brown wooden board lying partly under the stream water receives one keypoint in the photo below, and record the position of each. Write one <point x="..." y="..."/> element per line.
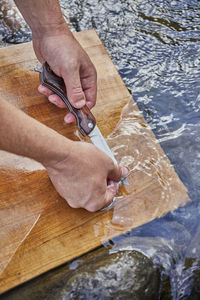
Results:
<point x="39" y="231"/>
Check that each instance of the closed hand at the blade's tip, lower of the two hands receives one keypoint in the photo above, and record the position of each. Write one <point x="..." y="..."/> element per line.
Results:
<point x="82" y="177"/>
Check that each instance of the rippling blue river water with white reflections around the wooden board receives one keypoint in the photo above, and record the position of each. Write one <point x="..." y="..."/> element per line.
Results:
<point x="155" y="45"/>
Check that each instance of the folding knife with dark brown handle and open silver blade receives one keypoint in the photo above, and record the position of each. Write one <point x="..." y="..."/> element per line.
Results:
<point x="86" y="122"/>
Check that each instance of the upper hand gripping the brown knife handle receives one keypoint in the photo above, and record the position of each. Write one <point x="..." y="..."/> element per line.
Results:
<point x="68" y="60"/>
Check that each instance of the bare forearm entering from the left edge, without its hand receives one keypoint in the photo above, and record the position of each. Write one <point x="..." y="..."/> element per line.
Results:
<point x="23" y="135"/>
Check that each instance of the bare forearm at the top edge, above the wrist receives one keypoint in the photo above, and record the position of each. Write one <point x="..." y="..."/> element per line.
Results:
<point x="43" y="16"/>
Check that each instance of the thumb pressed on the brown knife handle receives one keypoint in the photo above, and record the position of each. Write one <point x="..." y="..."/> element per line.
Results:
<point x="74" y="89"/>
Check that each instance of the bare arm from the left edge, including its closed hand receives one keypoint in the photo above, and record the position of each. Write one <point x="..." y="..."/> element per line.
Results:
<point x="79" y="171"/>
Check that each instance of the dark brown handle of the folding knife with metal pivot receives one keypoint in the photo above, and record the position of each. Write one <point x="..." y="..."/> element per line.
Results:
<point x="85" y="119"/>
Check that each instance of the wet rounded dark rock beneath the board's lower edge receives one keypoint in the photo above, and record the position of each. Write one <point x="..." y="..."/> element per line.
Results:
<point x="122" y="275"/>
